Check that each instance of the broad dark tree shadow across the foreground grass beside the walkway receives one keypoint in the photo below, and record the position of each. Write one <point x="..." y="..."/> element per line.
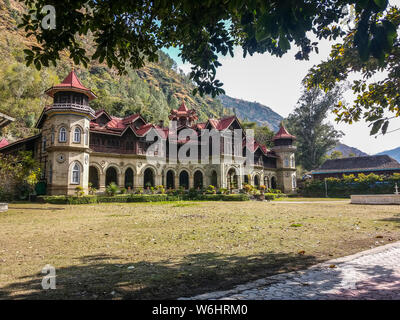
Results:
<point x="101" y="277"/>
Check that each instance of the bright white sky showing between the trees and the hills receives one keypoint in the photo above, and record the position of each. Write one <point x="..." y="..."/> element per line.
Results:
<point x="276" y="82"/>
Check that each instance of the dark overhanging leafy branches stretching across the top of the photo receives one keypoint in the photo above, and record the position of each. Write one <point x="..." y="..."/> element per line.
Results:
<point x="131" y="32"/>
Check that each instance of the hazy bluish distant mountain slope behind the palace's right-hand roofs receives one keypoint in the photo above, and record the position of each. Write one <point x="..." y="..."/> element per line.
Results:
<point x="252" y="111"/>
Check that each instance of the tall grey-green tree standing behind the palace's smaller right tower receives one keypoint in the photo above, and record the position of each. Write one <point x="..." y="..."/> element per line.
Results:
<point x="315" y="137"/>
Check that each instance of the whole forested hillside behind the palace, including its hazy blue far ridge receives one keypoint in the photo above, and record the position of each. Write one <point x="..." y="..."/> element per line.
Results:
<point x="152" y="90"/>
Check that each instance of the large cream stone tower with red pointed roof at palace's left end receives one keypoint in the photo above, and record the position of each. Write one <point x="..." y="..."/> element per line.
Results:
<point x="65" y="130"/>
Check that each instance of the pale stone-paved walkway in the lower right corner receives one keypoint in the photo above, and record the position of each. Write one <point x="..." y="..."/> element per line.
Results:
<point x="372" y="274"/>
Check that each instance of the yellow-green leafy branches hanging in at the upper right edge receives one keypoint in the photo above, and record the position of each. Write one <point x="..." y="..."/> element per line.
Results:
<point x="376" y="102"/>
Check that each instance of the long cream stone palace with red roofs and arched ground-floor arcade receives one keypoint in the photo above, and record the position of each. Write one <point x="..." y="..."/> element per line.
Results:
<point x="77" y="146"/>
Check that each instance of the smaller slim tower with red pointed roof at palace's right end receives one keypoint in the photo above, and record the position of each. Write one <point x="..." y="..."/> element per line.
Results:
<point x="286" y="163"/>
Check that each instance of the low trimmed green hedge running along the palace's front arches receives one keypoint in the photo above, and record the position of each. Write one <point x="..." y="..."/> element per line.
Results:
<point x="139" y="198"/>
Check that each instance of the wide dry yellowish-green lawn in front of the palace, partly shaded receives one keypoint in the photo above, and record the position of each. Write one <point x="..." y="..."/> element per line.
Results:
<point x="170" y="250"/>
